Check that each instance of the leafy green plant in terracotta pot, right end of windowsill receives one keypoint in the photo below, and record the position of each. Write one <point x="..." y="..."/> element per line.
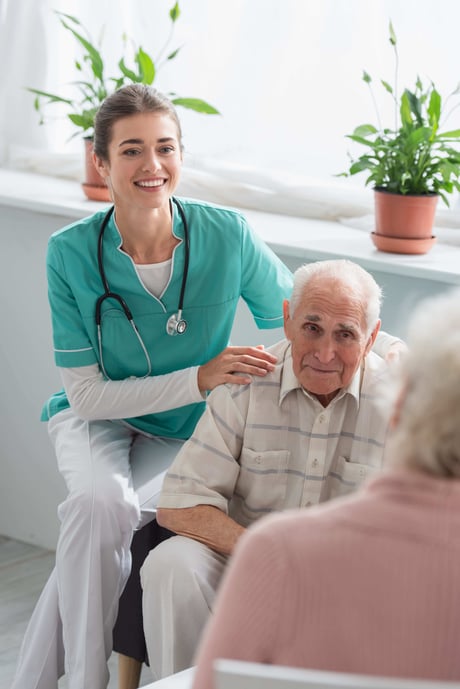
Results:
<point x="410" y="165"/>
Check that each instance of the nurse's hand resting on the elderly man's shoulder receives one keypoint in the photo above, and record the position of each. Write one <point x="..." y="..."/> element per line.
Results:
<point x="235" y="365"/>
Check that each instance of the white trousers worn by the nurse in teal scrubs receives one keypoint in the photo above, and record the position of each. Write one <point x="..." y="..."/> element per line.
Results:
<point x="78" y="606"/>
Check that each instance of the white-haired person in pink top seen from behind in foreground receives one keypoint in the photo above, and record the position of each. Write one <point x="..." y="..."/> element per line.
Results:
<point x="369" y="583"/>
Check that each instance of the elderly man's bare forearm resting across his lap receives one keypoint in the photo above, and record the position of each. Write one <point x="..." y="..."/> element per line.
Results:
<point x="204" y="523"/>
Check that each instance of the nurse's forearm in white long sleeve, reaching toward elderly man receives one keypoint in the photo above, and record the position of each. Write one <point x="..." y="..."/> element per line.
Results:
<point x="92" y="397"/>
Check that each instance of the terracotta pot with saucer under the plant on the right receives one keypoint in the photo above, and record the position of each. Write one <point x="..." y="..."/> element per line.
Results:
<point x="404" y="223"/>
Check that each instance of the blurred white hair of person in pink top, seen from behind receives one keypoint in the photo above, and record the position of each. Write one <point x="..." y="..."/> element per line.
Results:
<point x="427" y="432"/>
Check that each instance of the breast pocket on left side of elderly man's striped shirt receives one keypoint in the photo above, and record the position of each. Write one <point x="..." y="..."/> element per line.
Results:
<point x="262" y="481"/>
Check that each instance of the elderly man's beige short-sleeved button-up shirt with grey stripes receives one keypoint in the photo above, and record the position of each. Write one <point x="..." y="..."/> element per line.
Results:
<point x="269" y="445"/>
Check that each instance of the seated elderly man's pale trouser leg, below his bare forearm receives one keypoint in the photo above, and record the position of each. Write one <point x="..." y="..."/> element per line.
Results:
<point x="179" y="581"/>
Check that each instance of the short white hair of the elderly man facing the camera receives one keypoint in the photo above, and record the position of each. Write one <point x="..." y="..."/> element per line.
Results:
<point x="359" y="281"/>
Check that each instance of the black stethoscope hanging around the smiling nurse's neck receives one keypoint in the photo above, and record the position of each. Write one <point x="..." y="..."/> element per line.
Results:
<point x="176" y="325"/>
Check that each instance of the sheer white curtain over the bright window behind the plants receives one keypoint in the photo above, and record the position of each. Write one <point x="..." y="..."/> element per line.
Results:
<point x="286" y="77"/>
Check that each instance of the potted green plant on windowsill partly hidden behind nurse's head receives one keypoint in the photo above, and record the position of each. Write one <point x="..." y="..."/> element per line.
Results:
<point x="93" y="86"/>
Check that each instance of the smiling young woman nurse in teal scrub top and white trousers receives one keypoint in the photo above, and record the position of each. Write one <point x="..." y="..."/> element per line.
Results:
<point x="135" y="382"/>
